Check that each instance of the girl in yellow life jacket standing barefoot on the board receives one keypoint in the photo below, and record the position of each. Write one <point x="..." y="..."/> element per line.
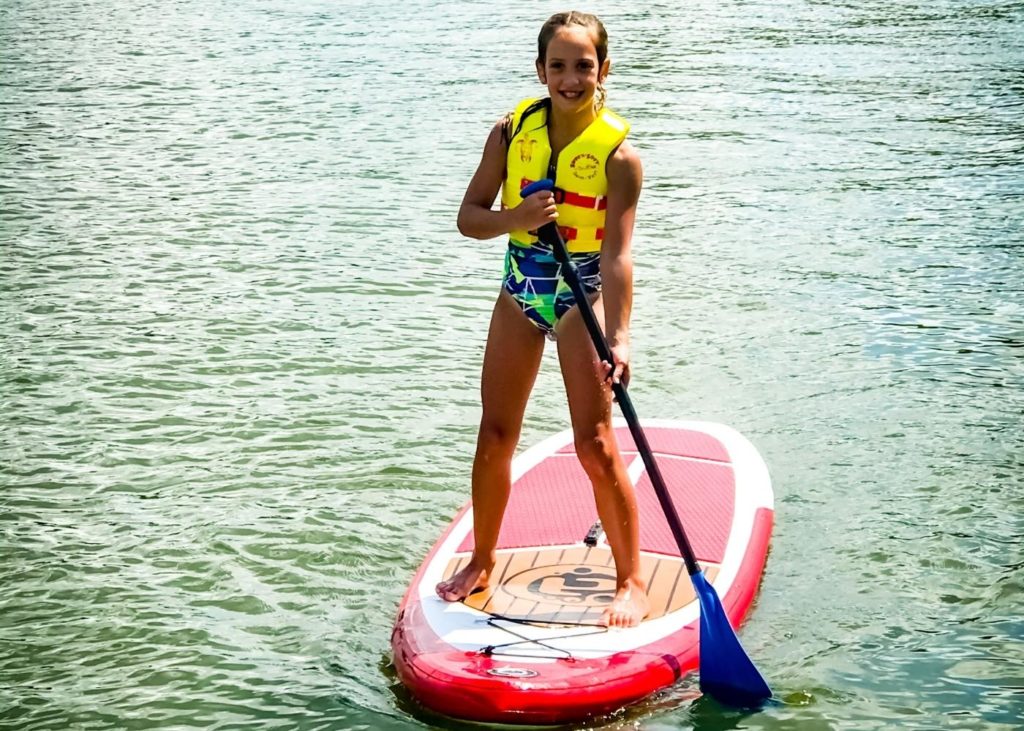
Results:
<point x="572" y="139"/>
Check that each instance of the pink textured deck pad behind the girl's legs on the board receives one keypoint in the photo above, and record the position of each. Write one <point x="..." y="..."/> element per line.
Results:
<point x="553" y="503"/>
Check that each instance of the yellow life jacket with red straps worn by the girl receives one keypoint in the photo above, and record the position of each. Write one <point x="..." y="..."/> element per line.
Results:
<point x="581" y="174"/>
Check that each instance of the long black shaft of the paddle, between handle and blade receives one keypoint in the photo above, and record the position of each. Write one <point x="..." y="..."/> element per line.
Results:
<point x="550" y="235"/>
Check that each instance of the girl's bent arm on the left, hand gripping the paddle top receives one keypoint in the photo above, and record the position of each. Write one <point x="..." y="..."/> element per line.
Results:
<point x="477" y="218"/>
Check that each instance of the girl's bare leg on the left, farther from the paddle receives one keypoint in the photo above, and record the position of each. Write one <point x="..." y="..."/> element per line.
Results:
<point x="510" y="365"/>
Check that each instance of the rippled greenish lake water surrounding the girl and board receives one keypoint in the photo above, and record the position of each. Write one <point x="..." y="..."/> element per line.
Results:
<point x="242" y="341"/>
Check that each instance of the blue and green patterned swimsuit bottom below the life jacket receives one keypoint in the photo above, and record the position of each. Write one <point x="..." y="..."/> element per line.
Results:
<point x="534" y="278"/>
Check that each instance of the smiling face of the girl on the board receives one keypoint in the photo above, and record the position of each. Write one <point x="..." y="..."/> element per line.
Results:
<point x="571" y="70"/>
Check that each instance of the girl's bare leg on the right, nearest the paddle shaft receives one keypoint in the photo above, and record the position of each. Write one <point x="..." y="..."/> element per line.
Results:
<point x="590" y="409"/>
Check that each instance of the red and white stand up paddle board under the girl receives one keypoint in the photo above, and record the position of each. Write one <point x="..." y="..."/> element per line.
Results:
<point x="529" y="650"/>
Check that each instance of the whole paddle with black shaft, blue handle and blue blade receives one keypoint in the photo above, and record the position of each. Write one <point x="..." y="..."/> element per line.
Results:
<point x="727" y="673"/>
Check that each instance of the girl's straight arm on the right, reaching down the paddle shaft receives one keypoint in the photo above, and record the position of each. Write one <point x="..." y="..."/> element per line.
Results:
<point x="625" y="182"/>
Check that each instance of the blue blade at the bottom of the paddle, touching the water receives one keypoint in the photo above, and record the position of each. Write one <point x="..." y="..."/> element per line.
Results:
<point x="727" y="673"/>
